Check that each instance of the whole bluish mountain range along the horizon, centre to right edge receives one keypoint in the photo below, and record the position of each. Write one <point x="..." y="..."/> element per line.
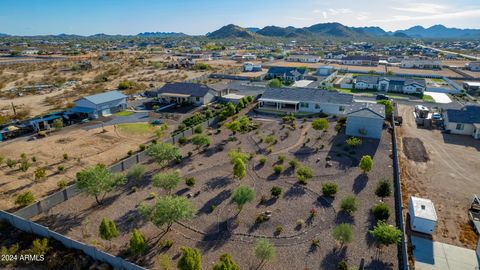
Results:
<point x="338" y="30"/>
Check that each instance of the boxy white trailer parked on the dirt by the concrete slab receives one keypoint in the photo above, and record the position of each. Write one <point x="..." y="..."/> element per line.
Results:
<point x="423" y="217"/>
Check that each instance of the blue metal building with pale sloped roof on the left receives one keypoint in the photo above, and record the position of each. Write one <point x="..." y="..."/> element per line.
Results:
<point x="103" y="104"/>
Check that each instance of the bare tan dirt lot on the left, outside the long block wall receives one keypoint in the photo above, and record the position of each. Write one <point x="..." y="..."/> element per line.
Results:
<point x="84" y="148"/>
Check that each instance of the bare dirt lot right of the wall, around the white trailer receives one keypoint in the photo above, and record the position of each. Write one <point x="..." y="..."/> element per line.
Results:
<point x="445" y="172"/>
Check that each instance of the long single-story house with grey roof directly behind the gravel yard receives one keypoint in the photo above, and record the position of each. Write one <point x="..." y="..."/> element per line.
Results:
<point x="308" y="100"/>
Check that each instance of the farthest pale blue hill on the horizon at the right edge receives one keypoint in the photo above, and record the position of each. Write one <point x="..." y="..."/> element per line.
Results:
<point x="440" y="31"/>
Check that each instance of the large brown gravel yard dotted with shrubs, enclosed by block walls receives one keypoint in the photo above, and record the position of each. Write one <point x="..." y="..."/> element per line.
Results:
<point x="214" y="233"/>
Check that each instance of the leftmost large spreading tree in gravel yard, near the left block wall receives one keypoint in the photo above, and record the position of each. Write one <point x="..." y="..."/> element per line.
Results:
<point x="98" y="181"/>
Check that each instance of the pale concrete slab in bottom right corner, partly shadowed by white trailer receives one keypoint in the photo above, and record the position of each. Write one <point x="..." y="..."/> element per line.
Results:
<point x="430" y="255"/>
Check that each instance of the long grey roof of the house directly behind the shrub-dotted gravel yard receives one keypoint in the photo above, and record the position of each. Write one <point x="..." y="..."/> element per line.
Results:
<point x="307" y="95"/>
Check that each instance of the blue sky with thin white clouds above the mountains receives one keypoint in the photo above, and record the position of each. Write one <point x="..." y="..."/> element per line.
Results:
<point x="85" y="17"/>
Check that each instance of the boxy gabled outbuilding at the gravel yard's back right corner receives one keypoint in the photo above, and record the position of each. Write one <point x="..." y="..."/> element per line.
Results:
<point x="365" y="120"/>
